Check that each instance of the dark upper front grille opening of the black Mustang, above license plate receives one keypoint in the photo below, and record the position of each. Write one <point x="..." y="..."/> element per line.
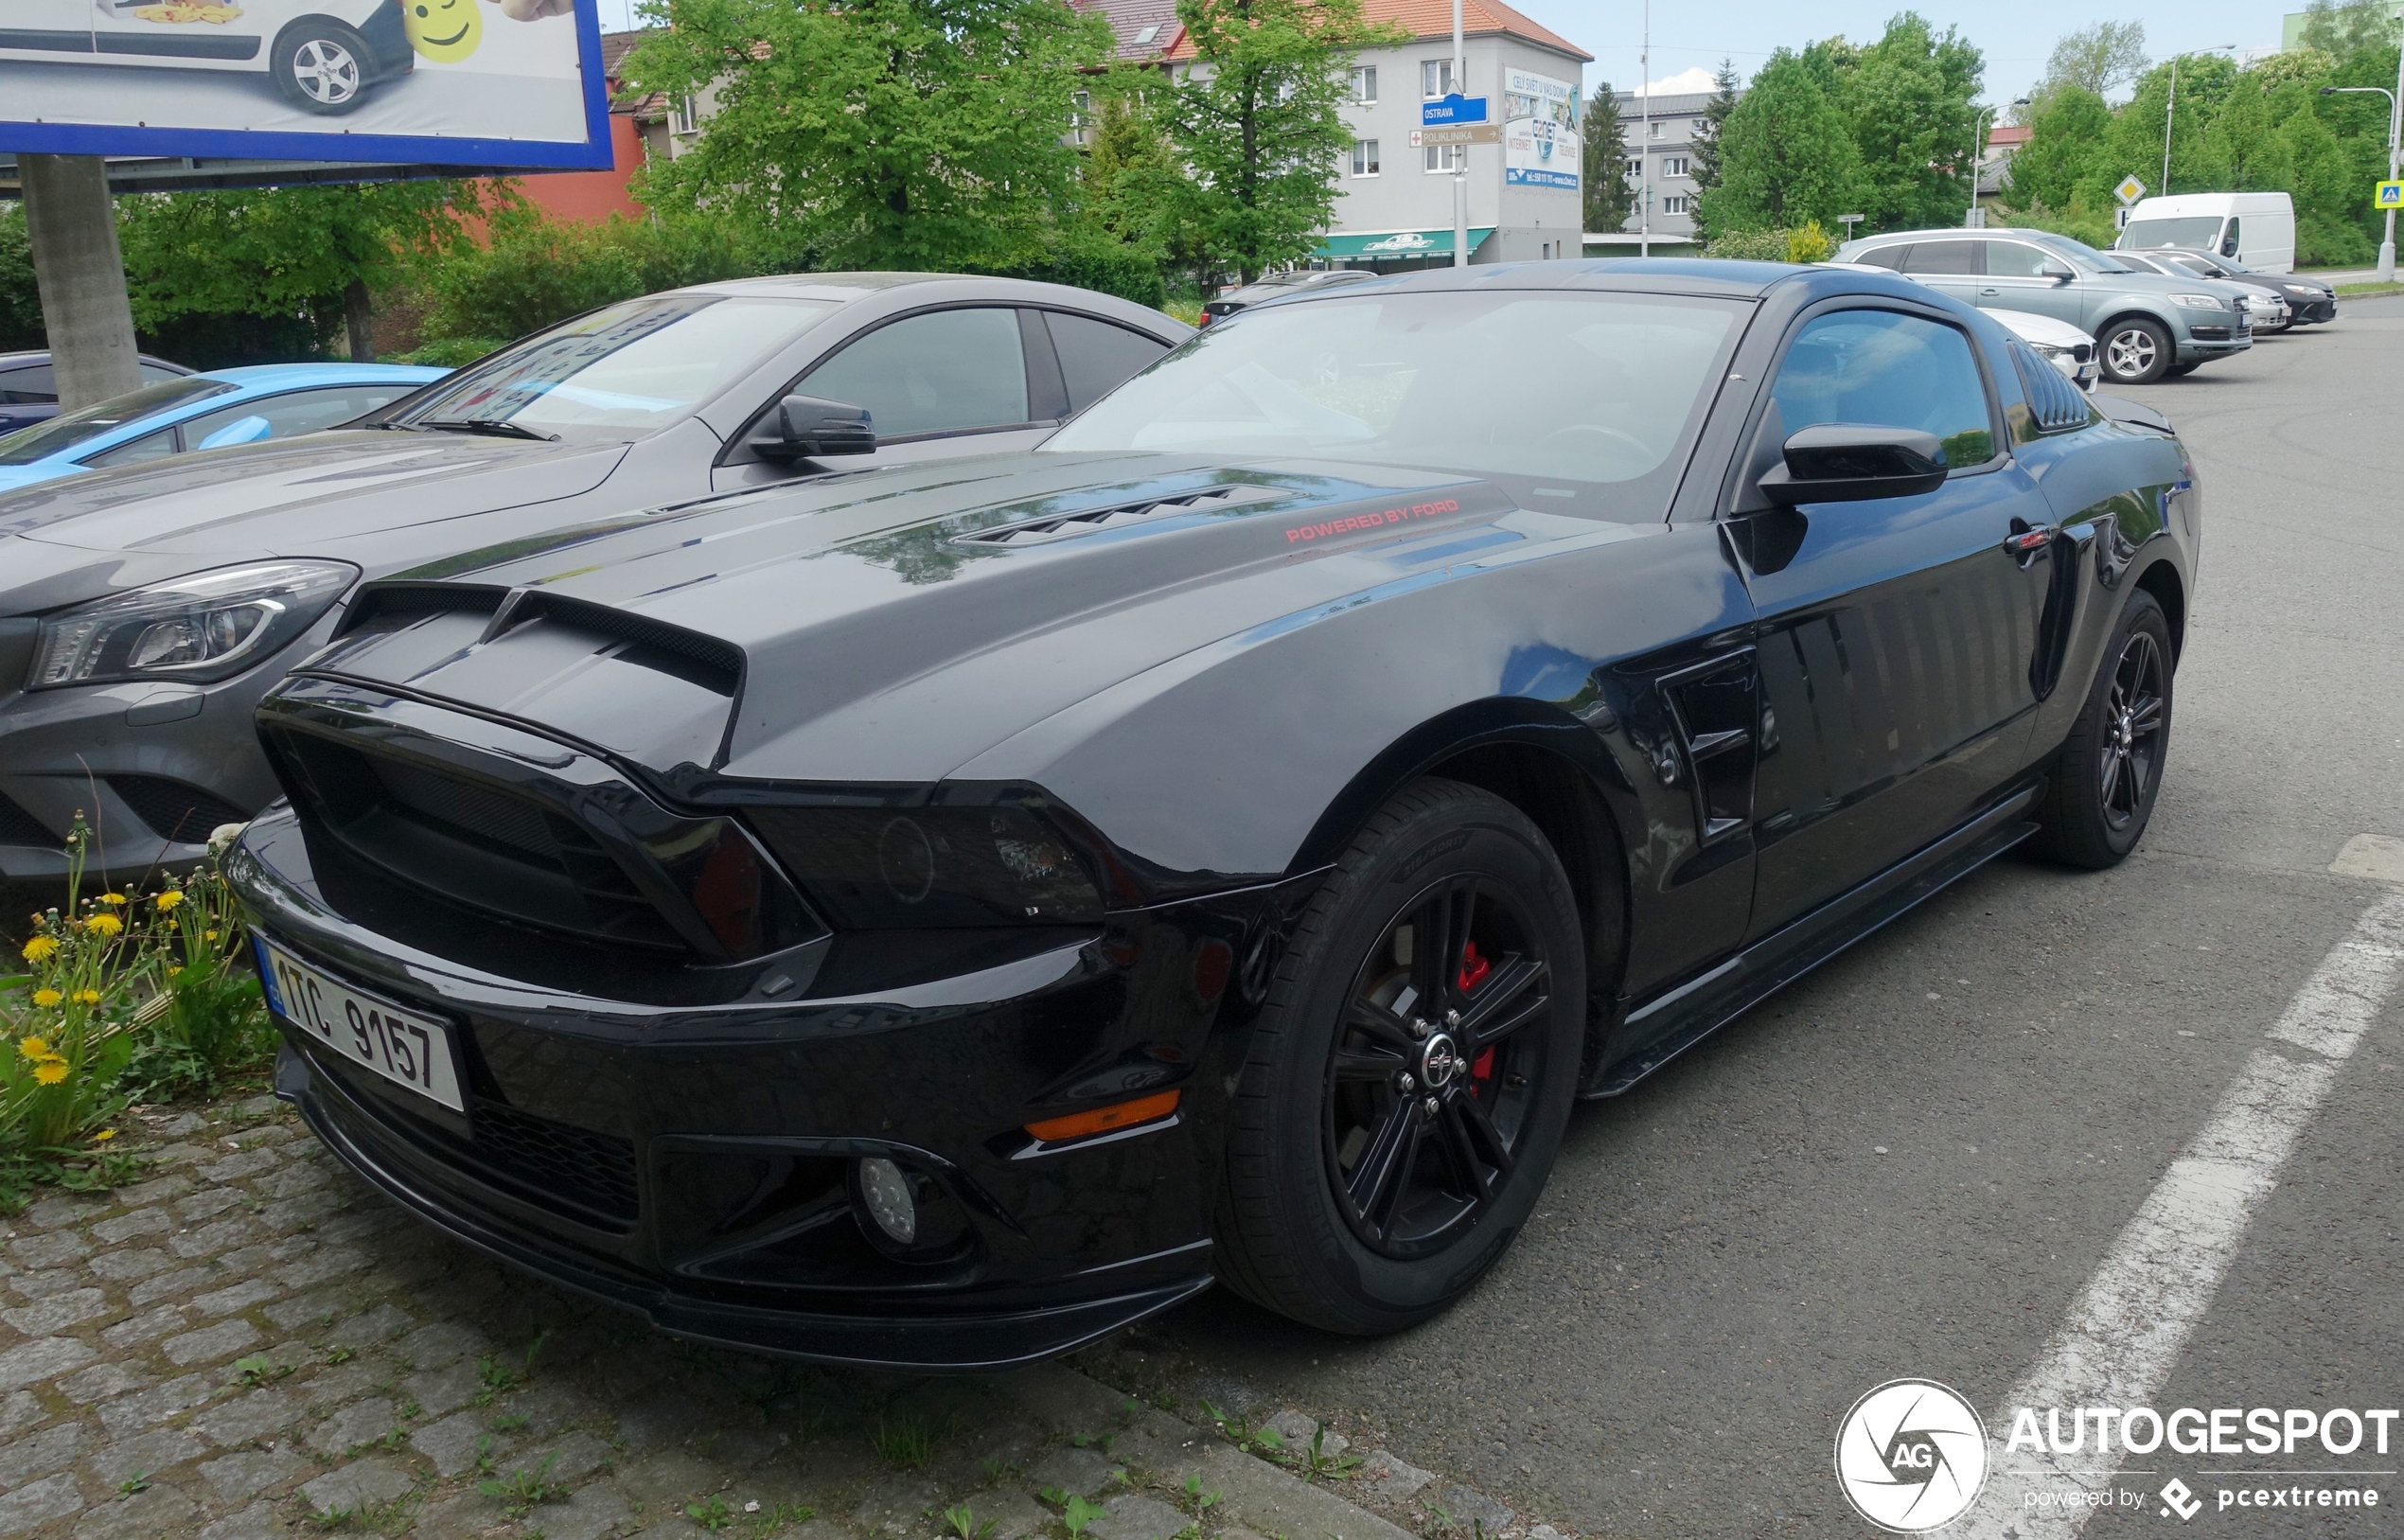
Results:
<point x="470" y="842"/>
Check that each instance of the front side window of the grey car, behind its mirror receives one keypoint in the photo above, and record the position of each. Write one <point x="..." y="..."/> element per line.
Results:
<point x="946" y="371"/>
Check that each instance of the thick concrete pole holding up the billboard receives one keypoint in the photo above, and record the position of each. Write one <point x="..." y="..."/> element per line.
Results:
<point x="81" y="275"/>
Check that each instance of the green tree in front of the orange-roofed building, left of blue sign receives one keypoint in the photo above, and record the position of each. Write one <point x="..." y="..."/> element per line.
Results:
<point x="1256" y="126"/>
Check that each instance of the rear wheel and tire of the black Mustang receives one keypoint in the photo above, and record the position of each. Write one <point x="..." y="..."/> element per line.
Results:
<point x="2110" y="772"/>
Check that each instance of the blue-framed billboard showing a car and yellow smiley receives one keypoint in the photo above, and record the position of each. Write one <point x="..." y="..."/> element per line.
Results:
<point x="436" y="83"/>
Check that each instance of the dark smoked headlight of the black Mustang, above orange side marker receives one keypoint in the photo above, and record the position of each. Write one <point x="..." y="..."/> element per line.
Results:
<point x="908" y="869"/>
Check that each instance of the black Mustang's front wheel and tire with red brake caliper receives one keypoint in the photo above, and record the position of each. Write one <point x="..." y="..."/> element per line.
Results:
<point x="1408" y="1085"/>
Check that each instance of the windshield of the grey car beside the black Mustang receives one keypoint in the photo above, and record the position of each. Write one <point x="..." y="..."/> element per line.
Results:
<point x="638" y="366"/>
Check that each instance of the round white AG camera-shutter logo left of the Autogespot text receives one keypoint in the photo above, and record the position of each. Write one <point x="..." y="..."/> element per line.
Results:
<point x="1912" y="1457"/>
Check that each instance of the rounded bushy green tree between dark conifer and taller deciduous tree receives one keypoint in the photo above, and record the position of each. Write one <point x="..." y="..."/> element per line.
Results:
<point x="1787" y="155"/>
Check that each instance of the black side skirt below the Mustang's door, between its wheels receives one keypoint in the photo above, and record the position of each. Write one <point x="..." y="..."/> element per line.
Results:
<point x="1691" y="1013"/>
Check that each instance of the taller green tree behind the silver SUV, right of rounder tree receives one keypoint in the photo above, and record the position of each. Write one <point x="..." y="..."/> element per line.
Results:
<point x="1910" y="105"/>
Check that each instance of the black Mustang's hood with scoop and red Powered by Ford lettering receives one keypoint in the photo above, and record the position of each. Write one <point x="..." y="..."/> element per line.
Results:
<point x="891" y="626"/>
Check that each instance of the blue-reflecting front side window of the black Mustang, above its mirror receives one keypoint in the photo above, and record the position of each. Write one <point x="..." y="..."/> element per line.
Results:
<point x="1893" y="371"/>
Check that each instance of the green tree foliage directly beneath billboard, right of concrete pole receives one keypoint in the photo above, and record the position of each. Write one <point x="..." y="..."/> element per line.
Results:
<point x="290" y="251"/>
